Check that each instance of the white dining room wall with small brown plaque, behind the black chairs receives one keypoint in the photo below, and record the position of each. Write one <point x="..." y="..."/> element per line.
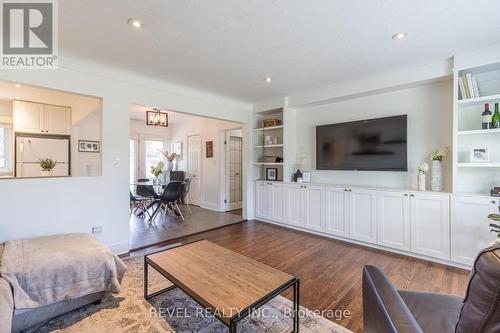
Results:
<point x="209" y="130"/>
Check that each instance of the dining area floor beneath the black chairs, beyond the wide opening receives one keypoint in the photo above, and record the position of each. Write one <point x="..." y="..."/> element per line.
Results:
<point x="144" y="234"/>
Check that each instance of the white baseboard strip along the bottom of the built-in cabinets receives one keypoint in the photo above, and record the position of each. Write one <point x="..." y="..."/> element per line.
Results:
<point x="374" y="246"/>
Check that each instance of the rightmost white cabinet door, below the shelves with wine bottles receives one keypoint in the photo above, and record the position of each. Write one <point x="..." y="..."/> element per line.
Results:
<point x="470" y="231"/>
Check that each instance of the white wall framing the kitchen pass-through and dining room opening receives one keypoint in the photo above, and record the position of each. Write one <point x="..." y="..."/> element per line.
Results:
<point x="34" y="207"/>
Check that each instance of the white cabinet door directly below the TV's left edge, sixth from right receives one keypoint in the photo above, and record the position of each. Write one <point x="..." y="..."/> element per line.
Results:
<point x="313" y="203"/>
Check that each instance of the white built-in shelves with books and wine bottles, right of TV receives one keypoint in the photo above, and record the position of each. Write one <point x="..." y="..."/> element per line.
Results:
<point x="469" y="176"/>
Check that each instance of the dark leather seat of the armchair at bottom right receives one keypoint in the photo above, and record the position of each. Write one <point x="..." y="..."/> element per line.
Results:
<point x="433" y="312"/>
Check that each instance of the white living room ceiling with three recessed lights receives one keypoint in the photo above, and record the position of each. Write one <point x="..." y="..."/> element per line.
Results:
<point x="228" y="47"/>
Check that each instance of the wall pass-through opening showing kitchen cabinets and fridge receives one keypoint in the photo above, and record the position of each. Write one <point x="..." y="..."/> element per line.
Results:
<point x="48" y="133"/>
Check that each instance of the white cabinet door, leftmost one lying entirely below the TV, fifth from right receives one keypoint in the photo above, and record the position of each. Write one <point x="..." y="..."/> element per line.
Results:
<point x="336" y="217"/>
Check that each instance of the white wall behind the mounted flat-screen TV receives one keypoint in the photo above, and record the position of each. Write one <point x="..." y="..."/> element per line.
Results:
<point x="429" y="110"/>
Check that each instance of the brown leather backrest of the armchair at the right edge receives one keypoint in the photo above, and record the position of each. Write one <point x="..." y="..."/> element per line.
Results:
<point x="481" y="308"/>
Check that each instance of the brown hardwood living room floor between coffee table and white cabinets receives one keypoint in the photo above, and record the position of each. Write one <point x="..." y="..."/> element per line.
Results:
<point x="330" y="270"/>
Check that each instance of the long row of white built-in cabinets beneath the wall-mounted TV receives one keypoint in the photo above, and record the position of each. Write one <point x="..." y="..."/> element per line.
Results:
<point x="422" y="223"/>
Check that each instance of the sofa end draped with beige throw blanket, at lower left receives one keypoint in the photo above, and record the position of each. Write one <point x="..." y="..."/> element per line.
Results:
<point x="14" y="319"/>
